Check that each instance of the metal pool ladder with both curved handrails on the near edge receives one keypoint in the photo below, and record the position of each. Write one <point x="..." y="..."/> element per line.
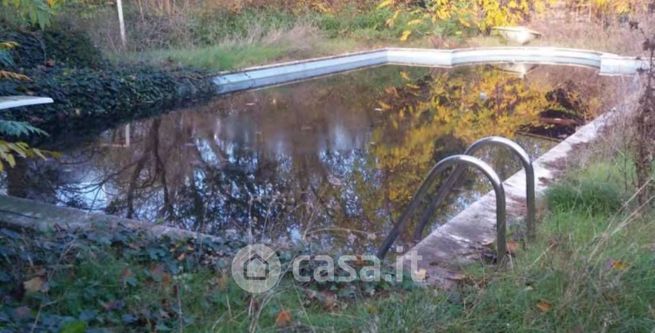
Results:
<point x="460" y="161"/>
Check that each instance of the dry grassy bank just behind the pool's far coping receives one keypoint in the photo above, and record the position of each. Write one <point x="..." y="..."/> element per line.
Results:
<point x="251" y="38"/>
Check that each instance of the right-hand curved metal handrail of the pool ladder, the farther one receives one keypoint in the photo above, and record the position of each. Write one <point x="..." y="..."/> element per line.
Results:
<point x="472" y="149"/>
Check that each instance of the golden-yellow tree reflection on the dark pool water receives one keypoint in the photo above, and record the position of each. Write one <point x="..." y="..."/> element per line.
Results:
<point x="460" y="106"/>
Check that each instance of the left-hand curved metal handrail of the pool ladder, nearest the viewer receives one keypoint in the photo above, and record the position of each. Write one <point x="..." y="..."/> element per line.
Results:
<point x="492" y="176"/>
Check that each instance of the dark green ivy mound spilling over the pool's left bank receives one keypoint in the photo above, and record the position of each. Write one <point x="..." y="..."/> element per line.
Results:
<point x="88" y="92"/>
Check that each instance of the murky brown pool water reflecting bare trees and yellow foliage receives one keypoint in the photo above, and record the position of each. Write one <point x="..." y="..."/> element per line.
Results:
<point x="332" y="160"/>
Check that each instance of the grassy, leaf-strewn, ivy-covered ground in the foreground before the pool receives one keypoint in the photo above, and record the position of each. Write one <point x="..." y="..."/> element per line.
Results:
<point x="592" y="269"/>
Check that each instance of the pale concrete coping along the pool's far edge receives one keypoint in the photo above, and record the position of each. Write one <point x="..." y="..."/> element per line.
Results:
<point x="281" y="73"/>
